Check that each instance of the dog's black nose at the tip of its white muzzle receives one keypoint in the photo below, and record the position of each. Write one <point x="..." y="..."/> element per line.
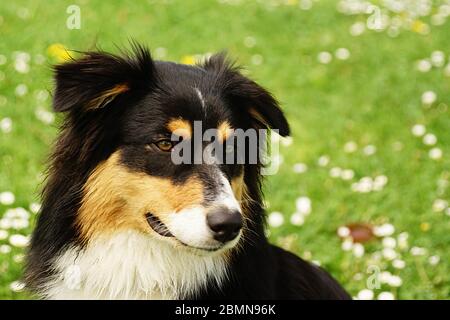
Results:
<point x="224" y="223"/>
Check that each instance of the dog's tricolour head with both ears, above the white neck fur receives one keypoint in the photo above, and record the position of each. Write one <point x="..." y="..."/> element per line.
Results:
<point x="136" y="114"/>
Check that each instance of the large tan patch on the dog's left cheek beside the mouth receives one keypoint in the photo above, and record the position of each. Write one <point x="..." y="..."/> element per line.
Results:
<point x="114" y="197"/>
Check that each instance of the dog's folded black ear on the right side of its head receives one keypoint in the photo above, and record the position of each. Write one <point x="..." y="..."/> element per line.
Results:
<point x="258" y="102"/>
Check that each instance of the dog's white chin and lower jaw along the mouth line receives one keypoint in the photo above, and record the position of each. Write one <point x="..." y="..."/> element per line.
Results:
<point x="163" y="233"/>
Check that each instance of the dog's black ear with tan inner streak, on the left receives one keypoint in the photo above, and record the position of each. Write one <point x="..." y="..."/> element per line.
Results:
<point x="97" y="78"/>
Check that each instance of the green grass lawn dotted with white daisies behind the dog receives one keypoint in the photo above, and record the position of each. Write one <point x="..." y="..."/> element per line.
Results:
<point x="351" y="118"/>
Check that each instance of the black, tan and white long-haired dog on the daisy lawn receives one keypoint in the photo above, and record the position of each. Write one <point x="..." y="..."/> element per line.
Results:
<point x="121" y="220"/>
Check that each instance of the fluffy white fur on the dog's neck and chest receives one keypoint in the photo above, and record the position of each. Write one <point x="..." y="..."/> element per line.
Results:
<point x="131" y="265"/>
